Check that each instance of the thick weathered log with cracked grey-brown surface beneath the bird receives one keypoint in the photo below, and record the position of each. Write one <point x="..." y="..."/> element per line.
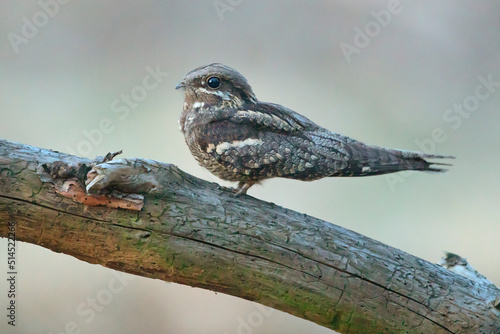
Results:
<point x="197" y="233"/>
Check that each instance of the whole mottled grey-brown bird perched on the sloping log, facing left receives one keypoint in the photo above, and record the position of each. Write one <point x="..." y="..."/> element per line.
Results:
<point x="239" y="138"/>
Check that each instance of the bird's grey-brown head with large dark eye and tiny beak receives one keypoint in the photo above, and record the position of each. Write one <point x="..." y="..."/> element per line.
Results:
<point x="217" y="86"/>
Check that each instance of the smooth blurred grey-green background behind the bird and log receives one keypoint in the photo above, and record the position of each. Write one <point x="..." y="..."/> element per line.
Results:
<point x="412" y="75"/>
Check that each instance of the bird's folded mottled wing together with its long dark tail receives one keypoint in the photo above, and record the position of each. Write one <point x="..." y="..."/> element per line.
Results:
<point x="269" y="140"/>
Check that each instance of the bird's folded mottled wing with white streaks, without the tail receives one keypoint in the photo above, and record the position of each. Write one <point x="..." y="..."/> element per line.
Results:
<point x="265" y="140"/>
